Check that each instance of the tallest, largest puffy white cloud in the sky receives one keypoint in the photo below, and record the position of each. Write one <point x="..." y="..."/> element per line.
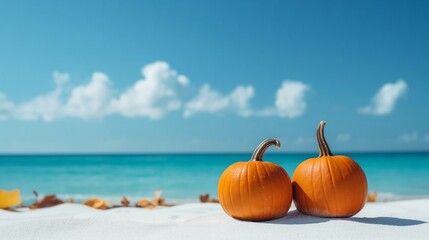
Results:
<point x="154" y="96"/>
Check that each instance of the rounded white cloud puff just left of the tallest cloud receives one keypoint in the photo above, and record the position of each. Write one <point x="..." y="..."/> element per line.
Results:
<point x="90" y="100"/>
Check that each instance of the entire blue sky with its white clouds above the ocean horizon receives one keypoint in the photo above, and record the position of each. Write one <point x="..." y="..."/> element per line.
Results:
<point x="219" y="76"/>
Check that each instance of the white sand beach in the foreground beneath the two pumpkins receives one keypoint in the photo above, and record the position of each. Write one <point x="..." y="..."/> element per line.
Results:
<point x="392" y="220"/>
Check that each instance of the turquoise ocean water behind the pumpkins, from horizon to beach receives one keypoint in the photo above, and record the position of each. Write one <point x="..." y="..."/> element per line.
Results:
<point x="183" y="177"/>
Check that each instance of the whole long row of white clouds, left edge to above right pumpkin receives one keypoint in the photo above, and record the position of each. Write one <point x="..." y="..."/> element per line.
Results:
<point x="160" y="91"/>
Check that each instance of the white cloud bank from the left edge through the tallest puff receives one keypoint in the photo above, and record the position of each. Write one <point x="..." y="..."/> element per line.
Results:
<point x="153" y="97"/>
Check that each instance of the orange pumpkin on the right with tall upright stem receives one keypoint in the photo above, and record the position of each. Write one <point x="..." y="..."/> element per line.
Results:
<point x="329" y="186"/>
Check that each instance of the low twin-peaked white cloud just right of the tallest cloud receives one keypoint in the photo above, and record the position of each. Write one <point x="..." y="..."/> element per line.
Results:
<point x="211" y="101"/>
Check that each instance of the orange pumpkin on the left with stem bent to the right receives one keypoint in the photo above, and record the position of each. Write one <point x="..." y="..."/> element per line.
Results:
<point x="255" y="190"/>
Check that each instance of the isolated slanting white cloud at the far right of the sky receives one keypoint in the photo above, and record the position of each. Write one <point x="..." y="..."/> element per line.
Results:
<point x="385" y="99"/>
